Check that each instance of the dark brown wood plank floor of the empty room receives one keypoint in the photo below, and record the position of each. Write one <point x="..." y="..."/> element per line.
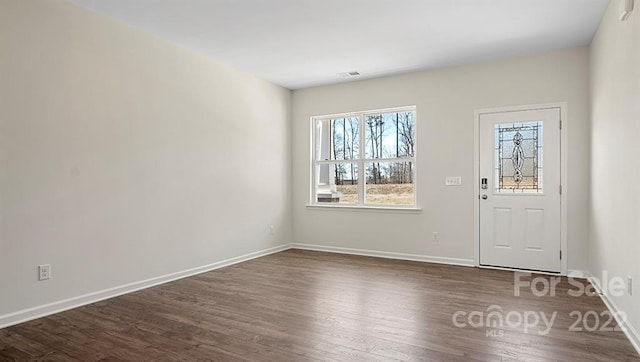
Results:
<point x="301" y="305"/>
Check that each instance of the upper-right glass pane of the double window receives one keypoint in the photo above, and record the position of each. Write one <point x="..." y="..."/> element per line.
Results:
<point x="390" y="135"/>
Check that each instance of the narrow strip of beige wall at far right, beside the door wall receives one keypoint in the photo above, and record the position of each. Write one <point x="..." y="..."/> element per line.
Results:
<point x="615" y="122"/>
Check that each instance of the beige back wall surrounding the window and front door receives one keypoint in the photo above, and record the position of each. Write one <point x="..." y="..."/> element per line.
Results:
<point x="445" y="100"/>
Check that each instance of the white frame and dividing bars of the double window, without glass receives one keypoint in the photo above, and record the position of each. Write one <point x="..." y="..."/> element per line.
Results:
<point x="361" y="161"/>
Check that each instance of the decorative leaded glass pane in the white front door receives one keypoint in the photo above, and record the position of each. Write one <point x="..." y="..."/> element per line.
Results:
<point x="518" y="157"/>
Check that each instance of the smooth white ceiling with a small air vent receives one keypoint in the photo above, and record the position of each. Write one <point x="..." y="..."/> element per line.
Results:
<point x="303" y="43"/>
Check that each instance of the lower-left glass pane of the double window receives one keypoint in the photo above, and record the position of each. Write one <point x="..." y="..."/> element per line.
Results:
<point x="337" y="183"/>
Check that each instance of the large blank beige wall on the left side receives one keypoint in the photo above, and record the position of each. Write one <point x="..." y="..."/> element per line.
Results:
<point x="123" y="157"/>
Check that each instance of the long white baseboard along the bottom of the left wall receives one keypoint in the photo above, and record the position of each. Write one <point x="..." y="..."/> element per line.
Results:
<point x="66" y="304"/>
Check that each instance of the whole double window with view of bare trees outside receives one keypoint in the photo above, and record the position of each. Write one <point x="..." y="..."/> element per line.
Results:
<point x="365" y="159"/>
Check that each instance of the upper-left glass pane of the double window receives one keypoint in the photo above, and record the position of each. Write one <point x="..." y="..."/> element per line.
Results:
<point x="337" y="139"/>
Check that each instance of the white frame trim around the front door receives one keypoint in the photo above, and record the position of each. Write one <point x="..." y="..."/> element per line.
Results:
<point x="564" y="118"/>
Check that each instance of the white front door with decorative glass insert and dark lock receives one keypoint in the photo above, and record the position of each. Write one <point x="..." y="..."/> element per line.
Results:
<point x="520" y="189"/>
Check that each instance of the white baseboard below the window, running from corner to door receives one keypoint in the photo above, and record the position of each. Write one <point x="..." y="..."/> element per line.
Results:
<point x="386" y="254"/>
